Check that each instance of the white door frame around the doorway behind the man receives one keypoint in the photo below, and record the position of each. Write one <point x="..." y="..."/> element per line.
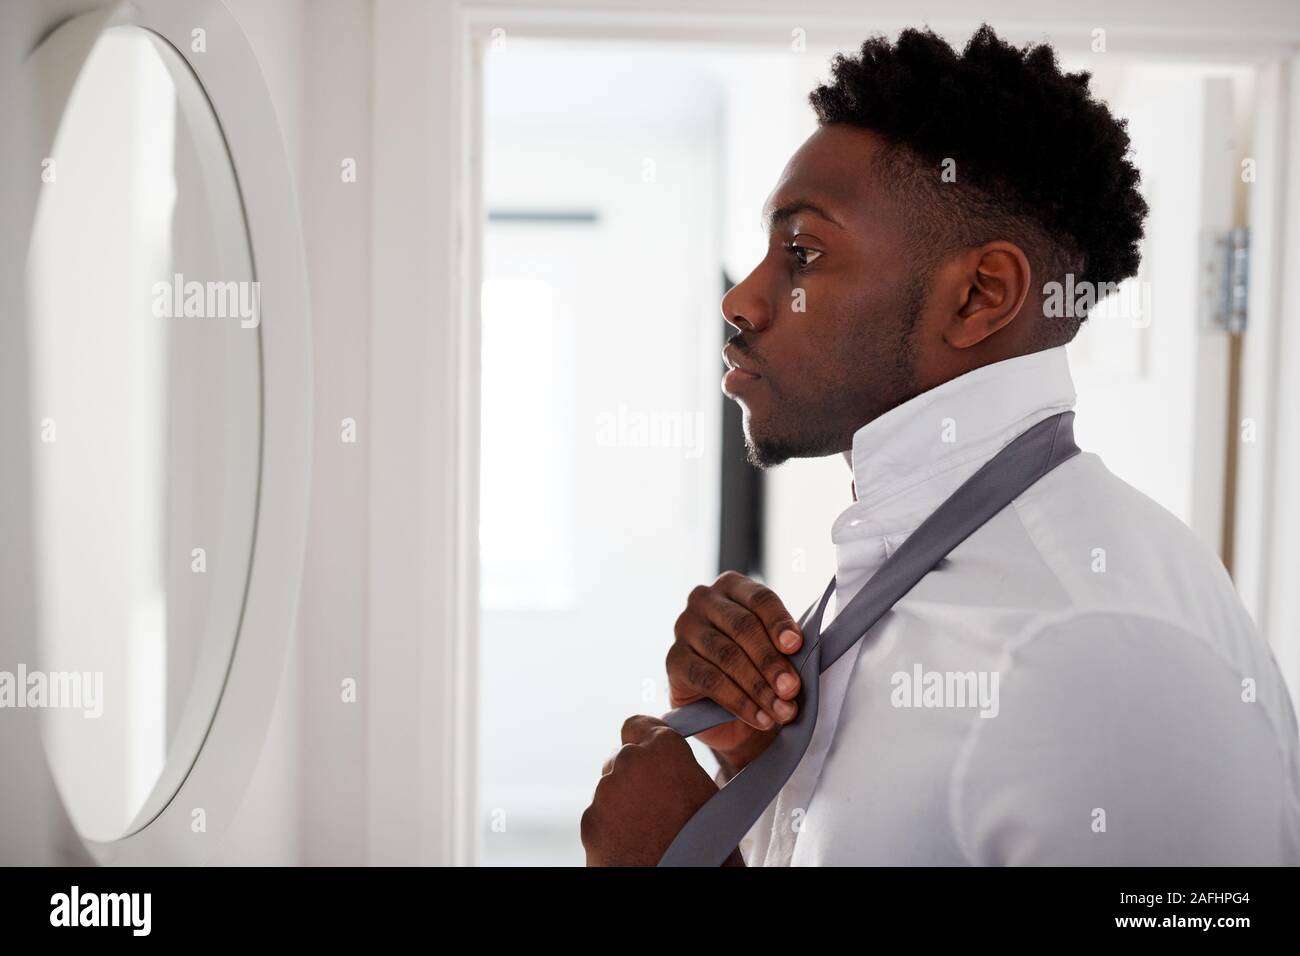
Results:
<point x="427" y="246"/>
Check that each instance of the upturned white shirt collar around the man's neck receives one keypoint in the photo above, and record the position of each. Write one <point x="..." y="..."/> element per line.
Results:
<point x="900" y="458"/>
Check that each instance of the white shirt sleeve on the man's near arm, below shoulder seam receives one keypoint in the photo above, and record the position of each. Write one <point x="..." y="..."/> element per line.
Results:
<point x="1125" y="741"/>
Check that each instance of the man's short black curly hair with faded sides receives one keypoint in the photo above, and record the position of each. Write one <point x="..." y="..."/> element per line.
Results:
<point x="1037" y="159"/>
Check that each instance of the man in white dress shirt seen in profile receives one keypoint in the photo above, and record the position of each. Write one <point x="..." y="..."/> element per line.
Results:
<point x="1080" y="684"/>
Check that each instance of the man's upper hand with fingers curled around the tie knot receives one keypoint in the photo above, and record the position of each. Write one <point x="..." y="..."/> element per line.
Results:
<point x="731" y="646"/>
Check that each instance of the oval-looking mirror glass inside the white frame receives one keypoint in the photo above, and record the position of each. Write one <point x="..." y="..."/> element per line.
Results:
<point x="146" y="383"/>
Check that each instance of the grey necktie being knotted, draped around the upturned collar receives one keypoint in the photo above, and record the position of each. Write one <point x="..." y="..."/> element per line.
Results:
<point x="718" y="828"/>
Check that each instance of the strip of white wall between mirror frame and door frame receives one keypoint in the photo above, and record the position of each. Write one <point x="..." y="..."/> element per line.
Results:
<point x="309" y="795"/>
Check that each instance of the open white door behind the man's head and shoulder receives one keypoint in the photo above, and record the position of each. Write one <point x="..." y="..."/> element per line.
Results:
<point x="1152" y="365"/>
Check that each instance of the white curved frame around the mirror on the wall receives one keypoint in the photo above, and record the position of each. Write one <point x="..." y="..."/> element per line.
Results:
<point x="233" y="81"/>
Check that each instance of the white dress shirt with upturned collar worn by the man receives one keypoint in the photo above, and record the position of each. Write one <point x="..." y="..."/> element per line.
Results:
<point x="1134" y="715"/>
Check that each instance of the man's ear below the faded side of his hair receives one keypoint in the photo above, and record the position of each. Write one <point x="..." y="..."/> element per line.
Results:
<point x="994" y="282"/>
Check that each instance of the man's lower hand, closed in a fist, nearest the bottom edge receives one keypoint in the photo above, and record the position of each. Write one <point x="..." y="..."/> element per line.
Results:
<point x="647" y="794"/>
